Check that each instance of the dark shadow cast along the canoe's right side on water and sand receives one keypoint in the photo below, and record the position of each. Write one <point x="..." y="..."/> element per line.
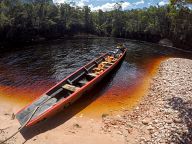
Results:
<point x="71" y="110"/>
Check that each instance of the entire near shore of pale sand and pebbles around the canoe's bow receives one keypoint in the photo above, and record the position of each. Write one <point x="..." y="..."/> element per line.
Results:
<point x="163" y="116"/>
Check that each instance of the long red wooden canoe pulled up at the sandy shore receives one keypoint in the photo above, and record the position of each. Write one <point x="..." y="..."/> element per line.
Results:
<point x="69" y="89"/>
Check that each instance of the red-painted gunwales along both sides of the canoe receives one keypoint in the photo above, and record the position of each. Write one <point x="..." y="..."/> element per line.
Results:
<point x="75" y="94"/>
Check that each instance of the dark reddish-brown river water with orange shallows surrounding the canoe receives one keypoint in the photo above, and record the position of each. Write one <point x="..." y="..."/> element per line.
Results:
<point x="27" y="73"/>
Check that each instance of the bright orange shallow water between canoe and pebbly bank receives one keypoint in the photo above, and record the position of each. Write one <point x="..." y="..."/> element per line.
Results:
<point x="120" y="96"/>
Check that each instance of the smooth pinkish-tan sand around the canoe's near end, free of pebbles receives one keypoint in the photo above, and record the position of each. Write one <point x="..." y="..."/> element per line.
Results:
<point x="59" y="130"/>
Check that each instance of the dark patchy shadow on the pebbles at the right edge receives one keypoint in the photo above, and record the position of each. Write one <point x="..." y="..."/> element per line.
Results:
<point x="185" y="114"/>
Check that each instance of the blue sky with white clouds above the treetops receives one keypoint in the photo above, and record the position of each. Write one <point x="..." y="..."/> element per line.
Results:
<point x="107" y="5"/>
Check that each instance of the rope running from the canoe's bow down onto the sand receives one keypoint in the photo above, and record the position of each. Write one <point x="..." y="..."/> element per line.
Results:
<point x="21" y="126"/>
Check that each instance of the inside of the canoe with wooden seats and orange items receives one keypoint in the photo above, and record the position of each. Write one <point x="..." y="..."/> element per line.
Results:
<point x="68" y="86"/>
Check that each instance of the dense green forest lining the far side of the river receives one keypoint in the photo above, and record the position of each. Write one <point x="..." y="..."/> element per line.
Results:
<point x="22" y="22"/>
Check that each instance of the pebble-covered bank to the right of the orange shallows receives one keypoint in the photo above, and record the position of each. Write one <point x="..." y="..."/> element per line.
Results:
<point x="164" y="115"/>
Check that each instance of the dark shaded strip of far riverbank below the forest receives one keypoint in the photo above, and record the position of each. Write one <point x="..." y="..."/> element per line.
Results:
<point x="10" y="46"/>
